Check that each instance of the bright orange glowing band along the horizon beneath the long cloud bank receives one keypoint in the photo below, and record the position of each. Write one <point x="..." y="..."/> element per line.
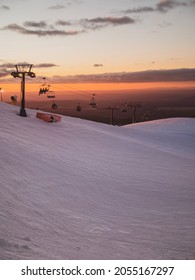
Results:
<point x="67" y="89"/>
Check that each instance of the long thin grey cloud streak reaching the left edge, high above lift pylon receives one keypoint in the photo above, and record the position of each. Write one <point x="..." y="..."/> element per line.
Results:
<point x="49" y="32"/>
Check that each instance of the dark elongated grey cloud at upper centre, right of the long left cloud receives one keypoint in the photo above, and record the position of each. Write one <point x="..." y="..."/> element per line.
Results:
<point x="100" y="22"/>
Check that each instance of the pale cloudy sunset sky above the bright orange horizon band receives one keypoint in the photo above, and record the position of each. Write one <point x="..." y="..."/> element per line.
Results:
<point x="98" y="40"/>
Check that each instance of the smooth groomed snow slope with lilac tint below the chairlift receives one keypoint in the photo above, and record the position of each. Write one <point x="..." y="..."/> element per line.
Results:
<point x="85" y="190"/>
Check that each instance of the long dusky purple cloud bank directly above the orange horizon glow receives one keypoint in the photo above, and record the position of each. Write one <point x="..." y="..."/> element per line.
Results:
<point x="172" y="75"/>
